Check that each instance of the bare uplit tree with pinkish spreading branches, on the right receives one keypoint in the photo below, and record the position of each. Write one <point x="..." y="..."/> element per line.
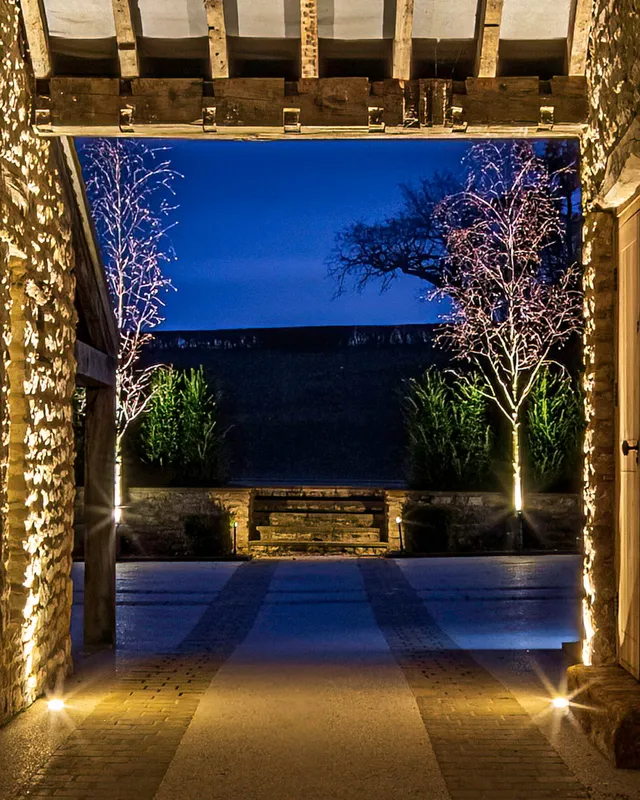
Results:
<point x="511" y="308"/>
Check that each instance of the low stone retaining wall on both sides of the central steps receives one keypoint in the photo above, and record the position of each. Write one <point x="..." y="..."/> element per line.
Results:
<point x="193" y="522"/>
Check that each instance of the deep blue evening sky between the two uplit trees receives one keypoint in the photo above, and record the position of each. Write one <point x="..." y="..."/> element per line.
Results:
<point x="256" y="221"/>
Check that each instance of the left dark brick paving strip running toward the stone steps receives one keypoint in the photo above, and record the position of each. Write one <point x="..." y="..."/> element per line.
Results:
<point x="124" y="747"/>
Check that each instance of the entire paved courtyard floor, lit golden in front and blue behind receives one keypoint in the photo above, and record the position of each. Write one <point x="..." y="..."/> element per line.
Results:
<point x="307" y="679"/>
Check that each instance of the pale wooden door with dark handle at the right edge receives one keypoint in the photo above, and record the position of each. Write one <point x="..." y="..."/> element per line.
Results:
<point x="629" y="436"/>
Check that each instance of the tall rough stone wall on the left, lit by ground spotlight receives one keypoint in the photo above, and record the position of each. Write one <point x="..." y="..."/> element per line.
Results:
<point x="37" y="318"/>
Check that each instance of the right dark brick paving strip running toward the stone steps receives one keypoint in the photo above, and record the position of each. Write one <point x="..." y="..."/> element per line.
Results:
<point x="485" y="743"/>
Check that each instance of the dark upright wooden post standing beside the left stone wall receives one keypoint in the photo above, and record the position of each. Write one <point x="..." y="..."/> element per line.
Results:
<point x="100" y="533"/>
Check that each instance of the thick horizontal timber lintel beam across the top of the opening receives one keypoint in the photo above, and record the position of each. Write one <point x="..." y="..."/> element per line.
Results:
<point x="258" y="106"/>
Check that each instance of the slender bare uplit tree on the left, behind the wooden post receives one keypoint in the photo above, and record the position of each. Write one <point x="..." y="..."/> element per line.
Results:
<point x="130" y="188"/>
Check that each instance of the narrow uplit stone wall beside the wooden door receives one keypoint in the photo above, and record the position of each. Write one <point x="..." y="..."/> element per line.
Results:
<point x="610" y="174"/>
